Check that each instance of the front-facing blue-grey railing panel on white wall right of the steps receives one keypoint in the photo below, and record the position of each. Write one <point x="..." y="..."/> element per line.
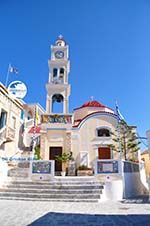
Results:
<point x="106" y="166"/>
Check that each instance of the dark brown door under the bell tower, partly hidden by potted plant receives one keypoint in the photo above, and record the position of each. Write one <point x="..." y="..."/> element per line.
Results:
<point x="53" y="152"/>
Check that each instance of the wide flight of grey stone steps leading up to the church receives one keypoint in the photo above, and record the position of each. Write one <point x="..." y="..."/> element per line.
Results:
<point x="65" y="189"/>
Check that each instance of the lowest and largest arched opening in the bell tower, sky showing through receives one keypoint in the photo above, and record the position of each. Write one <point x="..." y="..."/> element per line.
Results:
<point x="57" y="103"/>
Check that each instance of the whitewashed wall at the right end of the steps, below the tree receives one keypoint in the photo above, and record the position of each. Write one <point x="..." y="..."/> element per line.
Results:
<point x="124" y="185"/>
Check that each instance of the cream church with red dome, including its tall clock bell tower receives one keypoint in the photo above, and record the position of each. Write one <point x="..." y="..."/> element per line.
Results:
<point x="87" y="132"/>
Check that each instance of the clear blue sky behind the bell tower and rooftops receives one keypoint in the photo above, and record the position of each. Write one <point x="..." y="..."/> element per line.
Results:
<point x="109" y="50"/>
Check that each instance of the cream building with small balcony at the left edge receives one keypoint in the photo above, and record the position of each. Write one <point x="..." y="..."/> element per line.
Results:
<point x="10" y="123"/>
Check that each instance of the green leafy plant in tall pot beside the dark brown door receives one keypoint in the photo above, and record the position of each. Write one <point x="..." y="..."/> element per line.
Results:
<point x="64" y="158"/>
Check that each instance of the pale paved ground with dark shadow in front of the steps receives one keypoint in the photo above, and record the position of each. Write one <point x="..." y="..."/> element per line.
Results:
<point x="23" y="213"/>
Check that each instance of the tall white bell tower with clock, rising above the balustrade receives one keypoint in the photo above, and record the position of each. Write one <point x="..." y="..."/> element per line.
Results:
<point x="58" y="89"/>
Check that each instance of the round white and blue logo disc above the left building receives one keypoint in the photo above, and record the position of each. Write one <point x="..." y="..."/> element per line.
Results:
<point x="18" y="89"/>
